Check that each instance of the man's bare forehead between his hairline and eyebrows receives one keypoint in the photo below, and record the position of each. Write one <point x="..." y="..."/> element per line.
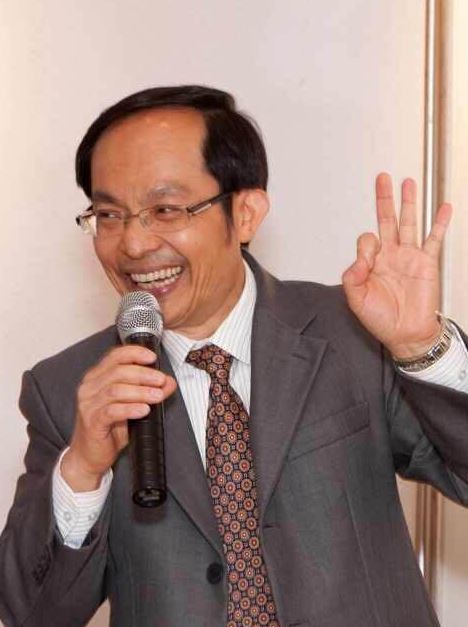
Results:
<point x="150" y="145"/>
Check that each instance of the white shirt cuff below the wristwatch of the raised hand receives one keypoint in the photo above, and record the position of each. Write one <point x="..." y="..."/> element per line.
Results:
<point x="451" y="370"/>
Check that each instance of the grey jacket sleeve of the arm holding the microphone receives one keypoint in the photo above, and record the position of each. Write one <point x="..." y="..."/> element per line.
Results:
<point x="43" y="582"/>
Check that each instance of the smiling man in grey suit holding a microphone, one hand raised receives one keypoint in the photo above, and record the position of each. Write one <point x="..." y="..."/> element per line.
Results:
<point x="282" y="504"/>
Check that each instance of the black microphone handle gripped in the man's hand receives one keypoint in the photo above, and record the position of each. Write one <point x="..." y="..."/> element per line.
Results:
<point x="146" y="443"/>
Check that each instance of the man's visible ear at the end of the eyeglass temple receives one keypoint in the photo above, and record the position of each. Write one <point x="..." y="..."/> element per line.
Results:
<point x="249" y="207"/>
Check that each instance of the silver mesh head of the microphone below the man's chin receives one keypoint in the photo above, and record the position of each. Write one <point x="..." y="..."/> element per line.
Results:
<point x="139" y="312"/>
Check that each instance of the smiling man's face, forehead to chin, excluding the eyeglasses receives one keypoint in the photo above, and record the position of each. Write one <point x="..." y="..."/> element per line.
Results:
<point x="196" y="274"/>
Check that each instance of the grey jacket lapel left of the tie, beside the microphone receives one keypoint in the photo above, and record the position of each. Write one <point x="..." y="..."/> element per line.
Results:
<point x="185" y="474"/>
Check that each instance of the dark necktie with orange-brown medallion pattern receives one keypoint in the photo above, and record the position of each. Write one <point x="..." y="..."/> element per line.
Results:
<point x="231" y="477"/>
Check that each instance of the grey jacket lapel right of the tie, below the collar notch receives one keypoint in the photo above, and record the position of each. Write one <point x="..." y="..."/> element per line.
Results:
<point x="284" y="365"/>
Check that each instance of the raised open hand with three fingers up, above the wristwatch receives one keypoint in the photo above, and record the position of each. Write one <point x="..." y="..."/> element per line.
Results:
<point x="393" y="287"/>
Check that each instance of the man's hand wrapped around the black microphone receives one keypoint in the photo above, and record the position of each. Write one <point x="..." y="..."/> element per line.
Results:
<point x="123" y="385"/>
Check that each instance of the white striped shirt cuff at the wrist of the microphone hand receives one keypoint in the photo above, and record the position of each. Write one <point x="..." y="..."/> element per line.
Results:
<point x="76" y="512"/>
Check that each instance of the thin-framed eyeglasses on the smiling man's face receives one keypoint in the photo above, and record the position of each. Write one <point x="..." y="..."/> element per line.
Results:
<point x="163" y="218"/>
